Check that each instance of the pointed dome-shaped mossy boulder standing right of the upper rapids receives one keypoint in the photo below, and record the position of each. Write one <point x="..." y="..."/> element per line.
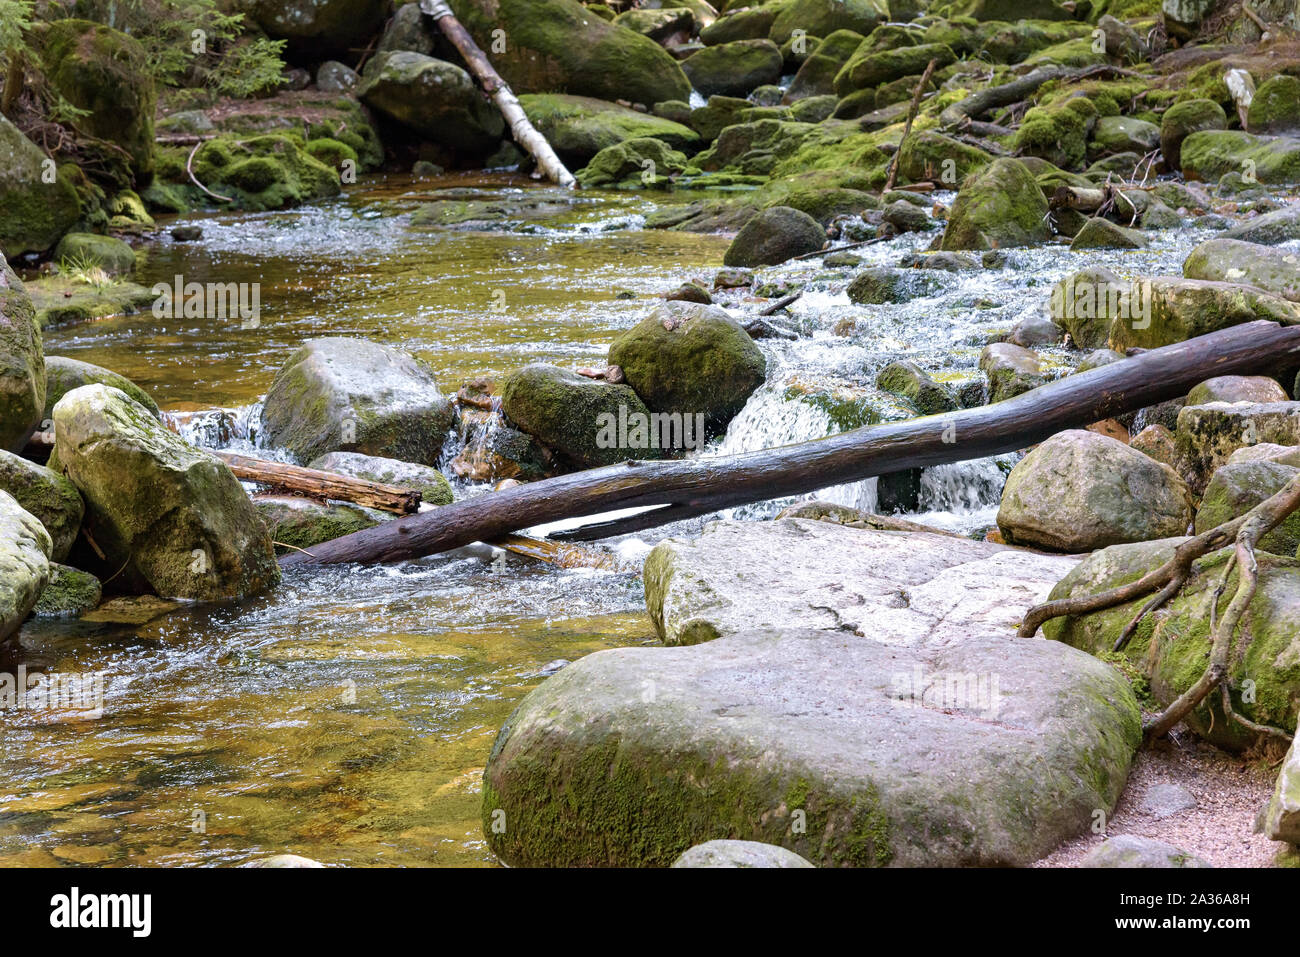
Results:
<point x="998" y="207"/>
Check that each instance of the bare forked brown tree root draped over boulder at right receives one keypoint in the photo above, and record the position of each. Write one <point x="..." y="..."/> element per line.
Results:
<point x="1168" y="581"/>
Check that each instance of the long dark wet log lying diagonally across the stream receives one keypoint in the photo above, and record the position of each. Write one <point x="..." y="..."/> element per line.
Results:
<point x="703" y="486"/>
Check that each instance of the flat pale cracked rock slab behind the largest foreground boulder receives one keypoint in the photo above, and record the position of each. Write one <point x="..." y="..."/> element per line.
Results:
<point x="900" y="588"/>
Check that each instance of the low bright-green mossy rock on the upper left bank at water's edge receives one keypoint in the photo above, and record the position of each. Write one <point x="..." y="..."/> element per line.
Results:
<point x="268" y="172"/>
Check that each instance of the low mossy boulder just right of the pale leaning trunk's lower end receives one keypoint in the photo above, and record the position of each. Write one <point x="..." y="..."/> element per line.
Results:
<point x="579" y="128"/>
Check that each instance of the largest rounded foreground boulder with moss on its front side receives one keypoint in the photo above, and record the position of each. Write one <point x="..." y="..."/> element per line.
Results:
<point x="630" y="757"/>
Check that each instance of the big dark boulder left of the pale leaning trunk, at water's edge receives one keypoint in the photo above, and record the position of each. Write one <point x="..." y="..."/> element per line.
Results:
<point x="435" y="99"/>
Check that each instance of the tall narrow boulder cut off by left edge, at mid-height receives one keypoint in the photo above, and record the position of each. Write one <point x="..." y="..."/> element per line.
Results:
<point x="23" y="363"/>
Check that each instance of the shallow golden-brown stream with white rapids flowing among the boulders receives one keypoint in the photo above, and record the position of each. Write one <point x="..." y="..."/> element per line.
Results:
<point x="348" y="716"/>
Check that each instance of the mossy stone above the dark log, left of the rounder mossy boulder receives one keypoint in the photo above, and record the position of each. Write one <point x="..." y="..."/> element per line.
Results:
<point x="571" y="414"/>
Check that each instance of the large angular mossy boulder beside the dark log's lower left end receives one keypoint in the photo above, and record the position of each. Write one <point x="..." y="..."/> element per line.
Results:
<point x="168" y="517"/>
